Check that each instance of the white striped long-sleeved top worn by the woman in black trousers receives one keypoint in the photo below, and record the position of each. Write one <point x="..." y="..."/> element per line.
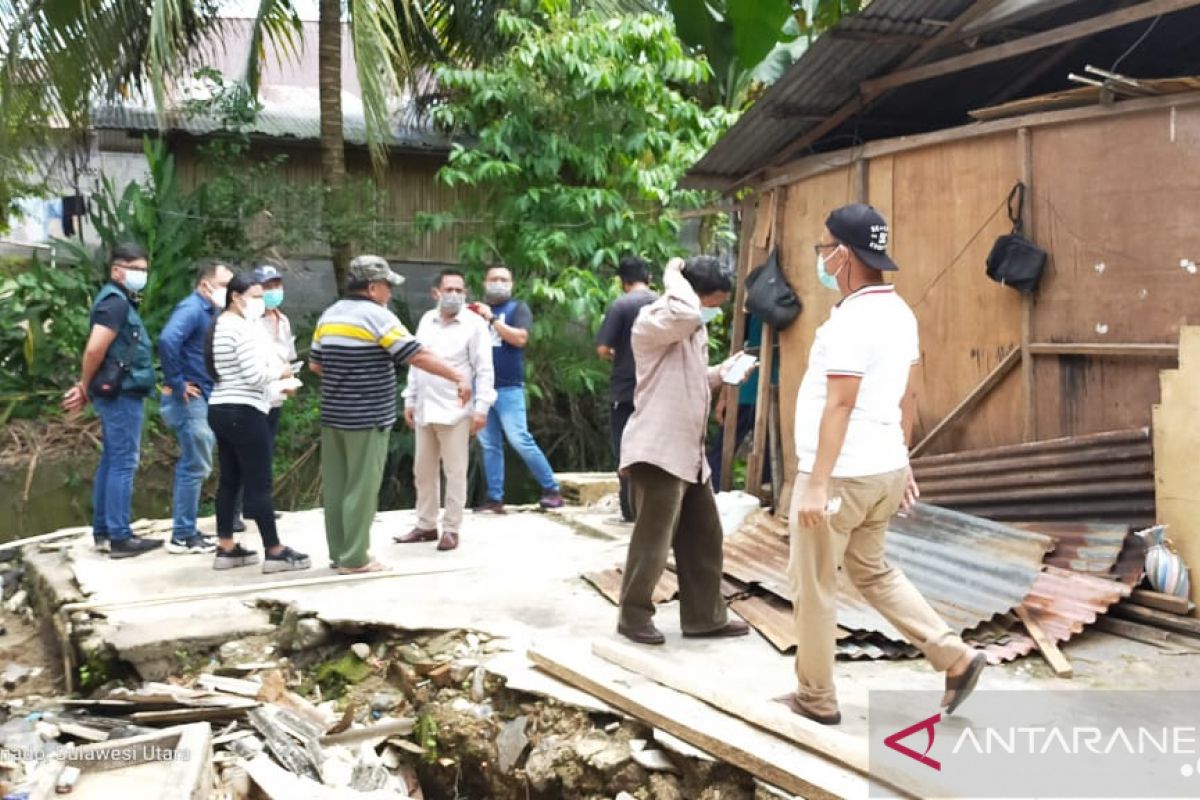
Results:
<point x="244" y="364"/>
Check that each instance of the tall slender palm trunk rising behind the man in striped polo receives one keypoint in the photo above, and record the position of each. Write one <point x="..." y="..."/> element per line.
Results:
<point x="333" y="145"/>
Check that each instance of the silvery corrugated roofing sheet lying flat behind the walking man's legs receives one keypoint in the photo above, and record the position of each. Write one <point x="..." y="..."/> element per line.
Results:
<point x="969" y="569"/>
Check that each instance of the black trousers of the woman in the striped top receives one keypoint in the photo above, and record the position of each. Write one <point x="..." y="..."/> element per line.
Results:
<point x="244" y="452"/>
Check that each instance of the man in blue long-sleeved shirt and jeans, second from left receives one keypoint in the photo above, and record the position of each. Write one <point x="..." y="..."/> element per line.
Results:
<point x="187" y="387"/>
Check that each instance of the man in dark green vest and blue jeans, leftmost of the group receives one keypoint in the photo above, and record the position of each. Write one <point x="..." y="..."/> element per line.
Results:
<point x="117" y="376"/>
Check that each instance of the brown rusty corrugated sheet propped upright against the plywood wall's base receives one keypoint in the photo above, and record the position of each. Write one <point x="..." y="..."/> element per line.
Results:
<point x="1100" y="478"/>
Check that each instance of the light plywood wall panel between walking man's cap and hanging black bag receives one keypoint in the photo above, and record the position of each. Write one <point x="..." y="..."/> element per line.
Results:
<point x="949" y="209"/>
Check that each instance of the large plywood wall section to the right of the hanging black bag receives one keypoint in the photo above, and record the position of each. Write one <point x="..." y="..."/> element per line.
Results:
<point x="1115" y="204"/>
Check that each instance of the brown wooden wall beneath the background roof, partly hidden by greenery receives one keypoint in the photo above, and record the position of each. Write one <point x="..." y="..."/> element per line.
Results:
<point x="411" y="181"/>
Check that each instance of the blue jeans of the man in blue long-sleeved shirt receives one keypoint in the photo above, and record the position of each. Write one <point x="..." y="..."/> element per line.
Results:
<point x="190" y="422"/>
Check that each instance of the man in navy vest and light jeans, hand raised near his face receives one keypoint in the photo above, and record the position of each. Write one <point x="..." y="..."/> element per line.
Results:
<point x="511" y="321"/>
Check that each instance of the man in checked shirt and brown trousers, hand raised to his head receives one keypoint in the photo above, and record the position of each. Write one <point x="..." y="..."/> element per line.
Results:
<point x="663" y="455"/>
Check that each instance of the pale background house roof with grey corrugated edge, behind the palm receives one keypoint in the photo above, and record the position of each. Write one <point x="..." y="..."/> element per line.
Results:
<point x="289" y="94"/>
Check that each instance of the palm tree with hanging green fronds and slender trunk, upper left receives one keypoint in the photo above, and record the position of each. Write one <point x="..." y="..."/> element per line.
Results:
<point x="59" y="58"/>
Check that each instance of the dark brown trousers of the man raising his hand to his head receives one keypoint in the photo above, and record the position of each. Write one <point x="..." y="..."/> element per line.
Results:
<point x="674" y="514"/>
